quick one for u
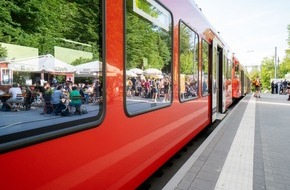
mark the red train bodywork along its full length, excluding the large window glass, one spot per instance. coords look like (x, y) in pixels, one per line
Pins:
(121, 148)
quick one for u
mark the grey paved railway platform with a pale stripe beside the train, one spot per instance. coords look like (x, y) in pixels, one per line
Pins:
(249, 149)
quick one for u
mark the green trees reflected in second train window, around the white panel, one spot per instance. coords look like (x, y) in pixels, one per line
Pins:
(146, 40)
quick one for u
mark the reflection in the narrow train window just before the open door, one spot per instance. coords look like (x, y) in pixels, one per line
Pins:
(205, 68)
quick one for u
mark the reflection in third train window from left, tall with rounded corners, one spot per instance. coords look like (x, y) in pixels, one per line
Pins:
(188, 47)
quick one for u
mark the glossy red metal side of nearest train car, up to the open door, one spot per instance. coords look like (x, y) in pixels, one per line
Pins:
(122, 152)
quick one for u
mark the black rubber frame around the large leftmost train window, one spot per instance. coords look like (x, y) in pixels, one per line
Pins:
(12, 141)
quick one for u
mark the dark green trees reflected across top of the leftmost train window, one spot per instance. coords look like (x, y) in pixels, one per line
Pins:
(42, 23)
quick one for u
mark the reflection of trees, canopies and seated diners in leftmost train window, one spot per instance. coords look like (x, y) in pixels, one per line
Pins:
(44, 55)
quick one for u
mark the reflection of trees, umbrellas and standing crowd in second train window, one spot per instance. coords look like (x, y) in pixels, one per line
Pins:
(148, 56)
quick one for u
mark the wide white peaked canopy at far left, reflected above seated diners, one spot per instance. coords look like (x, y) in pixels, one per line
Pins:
(45, 63)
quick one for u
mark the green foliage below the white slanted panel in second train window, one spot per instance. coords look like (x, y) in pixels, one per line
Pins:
(143, 41)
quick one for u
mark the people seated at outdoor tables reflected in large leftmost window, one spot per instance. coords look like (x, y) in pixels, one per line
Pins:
(54, 96)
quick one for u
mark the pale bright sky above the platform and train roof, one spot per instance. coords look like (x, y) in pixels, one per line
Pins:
(251, 28)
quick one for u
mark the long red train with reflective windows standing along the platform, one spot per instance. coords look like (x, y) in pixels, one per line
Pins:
(159, 74)
